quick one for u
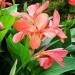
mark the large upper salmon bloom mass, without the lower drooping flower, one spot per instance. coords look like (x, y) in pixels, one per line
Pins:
(37, 26)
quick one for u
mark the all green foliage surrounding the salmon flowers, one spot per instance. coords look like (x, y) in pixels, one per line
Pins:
(25, 63)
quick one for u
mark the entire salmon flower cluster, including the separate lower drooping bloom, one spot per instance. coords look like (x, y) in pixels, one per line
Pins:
(38, 27)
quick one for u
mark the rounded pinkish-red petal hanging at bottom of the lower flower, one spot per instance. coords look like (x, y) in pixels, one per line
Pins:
(45, 62)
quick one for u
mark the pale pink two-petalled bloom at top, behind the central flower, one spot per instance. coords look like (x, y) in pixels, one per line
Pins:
(37, 9)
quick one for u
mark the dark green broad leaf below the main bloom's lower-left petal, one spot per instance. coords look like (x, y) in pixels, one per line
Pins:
(19, 51)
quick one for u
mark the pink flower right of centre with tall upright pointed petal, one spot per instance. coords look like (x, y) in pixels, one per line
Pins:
(54, 29)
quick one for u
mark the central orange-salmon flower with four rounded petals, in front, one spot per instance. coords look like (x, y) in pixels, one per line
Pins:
(33, 29)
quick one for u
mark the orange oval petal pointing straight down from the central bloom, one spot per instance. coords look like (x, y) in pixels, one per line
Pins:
(35, 41)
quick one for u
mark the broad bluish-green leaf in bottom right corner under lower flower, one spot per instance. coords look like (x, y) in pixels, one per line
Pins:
(69, 64)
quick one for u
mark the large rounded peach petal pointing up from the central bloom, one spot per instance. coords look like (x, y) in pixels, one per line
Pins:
(41, 21)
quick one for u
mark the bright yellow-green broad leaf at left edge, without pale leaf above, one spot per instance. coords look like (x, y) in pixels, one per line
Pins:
(7, 20)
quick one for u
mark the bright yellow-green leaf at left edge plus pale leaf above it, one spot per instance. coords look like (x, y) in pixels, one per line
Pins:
(7, 20)
